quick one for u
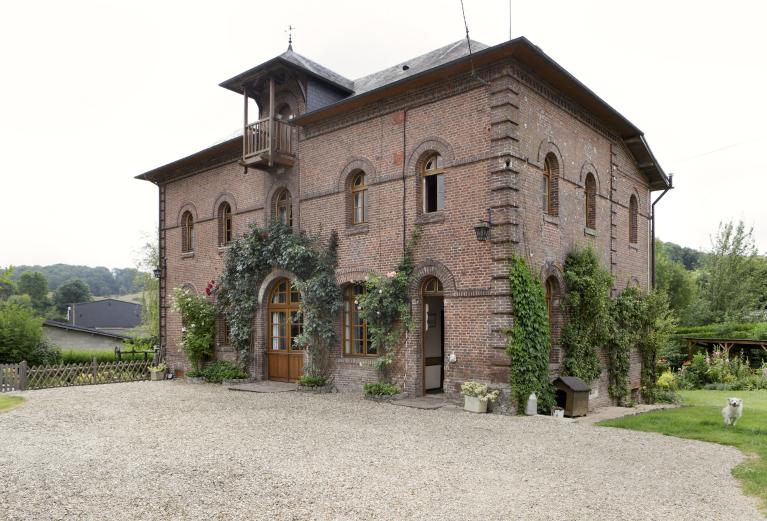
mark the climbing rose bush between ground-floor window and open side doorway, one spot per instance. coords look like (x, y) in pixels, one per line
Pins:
(385, 308)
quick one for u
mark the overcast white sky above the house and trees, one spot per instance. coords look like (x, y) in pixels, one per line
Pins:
(94, 93)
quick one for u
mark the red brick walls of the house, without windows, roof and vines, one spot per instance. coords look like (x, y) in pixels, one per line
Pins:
(493, 140)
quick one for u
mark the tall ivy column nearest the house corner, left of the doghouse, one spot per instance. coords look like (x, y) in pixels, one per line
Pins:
(529, 342)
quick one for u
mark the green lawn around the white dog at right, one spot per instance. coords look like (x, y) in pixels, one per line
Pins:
(700, 418)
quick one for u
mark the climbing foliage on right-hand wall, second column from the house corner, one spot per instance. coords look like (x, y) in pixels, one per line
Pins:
(587, 306)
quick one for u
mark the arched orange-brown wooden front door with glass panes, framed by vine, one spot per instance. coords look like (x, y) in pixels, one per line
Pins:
(285, 361)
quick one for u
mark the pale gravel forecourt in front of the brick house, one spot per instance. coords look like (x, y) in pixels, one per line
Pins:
(168, 450)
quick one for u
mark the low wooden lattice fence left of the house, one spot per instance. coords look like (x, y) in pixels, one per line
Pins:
(20, 377)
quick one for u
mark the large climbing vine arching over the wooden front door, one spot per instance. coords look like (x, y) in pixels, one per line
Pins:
(252, 257)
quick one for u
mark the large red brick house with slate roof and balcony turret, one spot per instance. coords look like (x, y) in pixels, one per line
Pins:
(445, 140)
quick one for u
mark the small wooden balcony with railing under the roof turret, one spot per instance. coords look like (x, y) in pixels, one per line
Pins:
(268, 142)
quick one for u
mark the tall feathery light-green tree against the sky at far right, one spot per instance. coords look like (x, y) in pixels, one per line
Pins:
(729, 286)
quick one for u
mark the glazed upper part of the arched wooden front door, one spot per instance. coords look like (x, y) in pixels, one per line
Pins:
(284, 316)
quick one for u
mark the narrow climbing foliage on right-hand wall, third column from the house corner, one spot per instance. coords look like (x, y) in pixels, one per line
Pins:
(625, 323)
